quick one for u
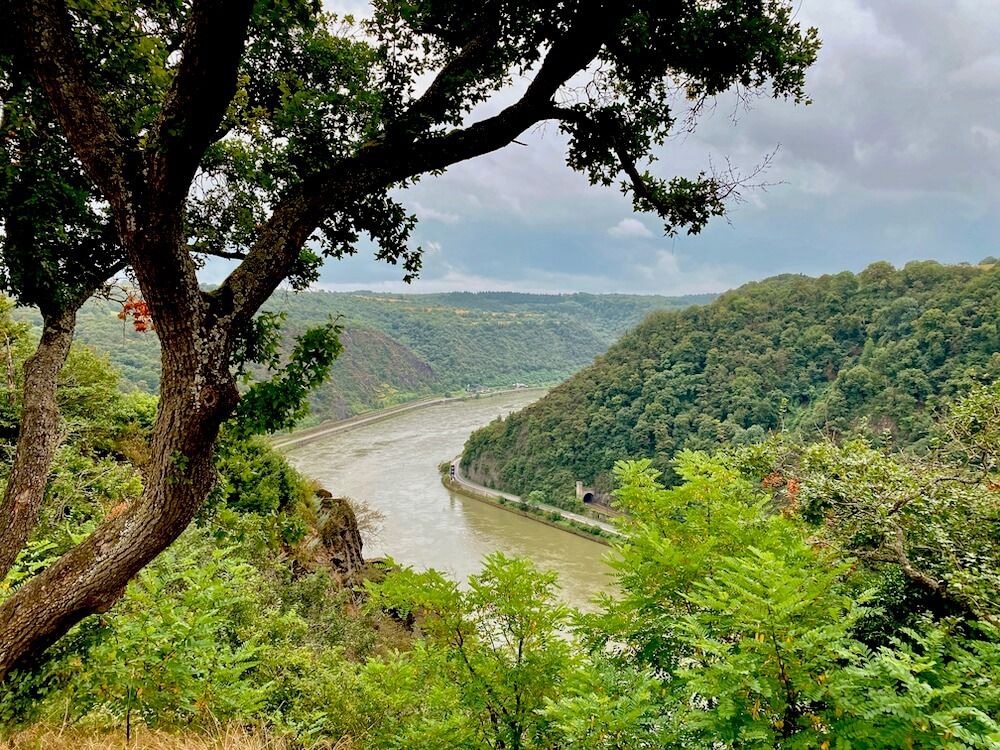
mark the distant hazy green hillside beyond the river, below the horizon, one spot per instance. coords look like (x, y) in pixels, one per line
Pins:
(398, 347)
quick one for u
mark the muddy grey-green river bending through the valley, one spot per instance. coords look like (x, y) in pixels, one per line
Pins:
(392, 466)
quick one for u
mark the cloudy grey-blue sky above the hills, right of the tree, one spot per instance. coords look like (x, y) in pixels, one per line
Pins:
(898, 158)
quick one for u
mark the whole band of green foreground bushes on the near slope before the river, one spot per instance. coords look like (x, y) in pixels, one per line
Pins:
(782, 594)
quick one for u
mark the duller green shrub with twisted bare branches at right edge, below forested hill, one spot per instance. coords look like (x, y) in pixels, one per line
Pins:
(932, 517)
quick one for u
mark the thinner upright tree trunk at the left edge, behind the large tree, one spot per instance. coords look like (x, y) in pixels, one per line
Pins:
(37, 439)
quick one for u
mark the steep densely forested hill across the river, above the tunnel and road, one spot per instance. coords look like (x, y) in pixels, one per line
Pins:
(806, 355)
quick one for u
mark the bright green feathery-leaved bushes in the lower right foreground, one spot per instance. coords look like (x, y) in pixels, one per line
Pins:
(761, 626)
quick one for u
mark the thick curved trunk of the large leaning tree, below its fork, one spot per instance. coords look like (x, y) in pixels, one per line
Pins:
(197, 395)
